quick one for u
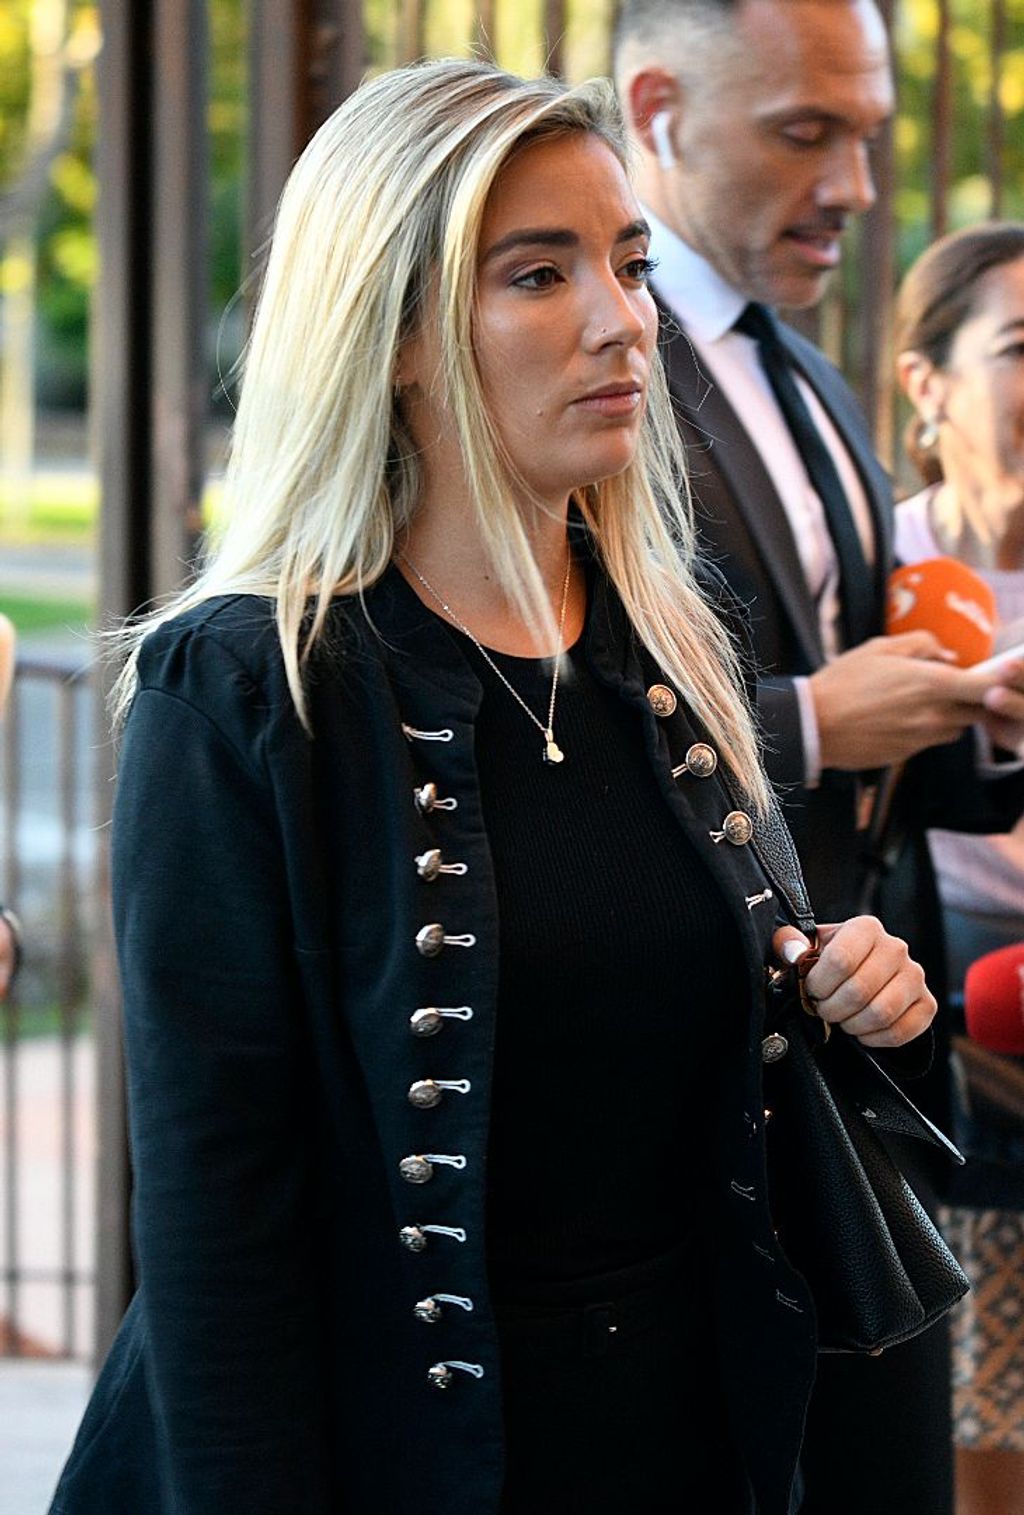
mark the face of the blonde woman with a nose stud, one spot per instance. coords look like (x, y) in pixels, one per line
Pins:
(564, 323)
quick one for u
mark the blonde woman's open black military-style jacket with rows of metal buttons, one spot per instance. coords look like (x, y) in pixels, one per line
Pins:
(302, 976)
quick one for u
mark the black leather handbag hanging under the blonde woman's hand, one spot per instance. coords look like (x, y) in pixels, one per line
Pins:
(846, 1217)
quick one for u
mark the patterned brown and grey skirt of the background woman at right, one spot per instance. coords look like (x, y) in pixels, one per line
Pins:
(988, 1329)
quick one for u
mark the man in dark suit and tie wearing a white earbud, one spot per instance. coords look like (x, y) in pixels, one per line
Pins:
(754, 122)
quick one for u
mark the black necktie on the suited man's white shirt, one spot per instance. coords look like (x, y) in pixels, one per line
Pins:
(857, 581)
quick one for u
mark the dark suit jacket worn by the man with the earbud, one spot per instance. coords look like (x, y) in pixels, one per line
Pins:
(746, 533)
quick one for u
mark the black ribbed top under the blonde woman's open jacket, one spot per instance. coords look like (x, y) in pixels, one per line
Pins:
(622, 978)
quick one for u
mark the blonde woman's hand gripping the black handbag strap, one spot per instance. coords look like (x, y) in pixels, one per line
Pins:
(866, 981)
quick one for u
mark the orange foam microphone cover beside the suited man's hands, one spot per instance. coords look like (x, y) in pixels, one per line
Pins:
(948, 599)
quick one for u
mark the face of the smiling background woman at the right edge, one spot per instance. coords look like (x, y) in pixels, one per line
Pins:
(984, 383)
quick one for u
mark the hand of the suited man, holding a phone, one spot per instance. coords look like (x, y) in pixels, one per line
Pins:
(894, 696)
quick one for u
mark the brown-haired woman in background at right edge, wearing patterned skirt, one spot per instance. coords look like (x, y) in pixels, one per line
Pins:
(961, 363)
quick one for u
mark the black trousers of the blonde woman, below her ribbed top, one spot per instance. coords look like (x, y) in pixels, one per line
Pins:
(613, 1404)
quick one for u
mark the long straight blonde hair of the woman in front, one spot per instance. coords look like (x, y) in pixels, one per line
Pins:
(384, 207)
